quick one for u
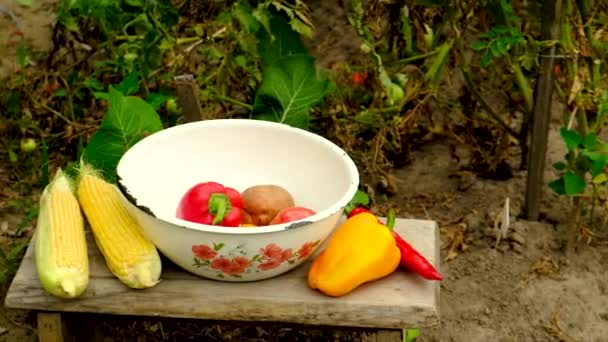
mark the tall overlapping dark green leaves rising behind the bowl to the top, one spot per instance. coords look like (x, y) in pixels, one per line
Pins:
(290, 84)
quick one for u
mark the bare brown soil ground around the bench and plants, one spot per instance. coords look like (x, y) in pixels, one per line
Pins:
(526, 289)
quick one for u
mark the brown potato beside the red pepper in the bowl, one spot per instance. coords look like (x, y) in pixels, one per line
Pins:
(263, 202)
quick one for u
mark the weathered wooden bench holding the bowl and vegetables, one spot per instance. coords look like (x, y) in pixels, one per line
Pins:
(402, 300)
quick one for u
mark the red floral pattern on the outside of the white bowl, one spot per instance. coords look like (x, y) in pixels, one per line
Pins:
(234, 263)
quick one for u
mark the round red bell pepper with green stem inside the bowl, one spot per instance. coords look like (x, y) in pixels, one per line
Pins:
(211, 203)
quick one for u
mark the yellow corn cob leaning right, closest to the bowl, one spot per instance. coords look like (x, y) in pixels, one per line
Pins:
(131, 257)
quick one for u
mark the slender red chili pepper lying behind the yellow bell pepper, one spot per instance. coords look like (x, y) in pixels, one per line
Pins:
(410, 258)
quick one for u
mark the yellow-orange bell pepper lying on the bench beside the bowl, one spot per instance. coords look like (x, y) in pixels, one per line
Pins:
(361, 250)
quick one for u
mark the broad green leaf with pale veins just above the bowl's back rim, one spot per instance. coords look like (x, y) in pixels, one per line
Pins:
(289, 88)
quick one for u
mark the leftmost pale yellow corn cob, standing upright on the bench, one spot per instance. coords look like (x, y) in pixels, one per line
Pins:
(60, 244)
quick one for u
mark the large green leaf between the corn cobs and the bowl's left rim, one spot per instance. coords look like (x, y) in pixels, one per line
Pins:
(128, 120)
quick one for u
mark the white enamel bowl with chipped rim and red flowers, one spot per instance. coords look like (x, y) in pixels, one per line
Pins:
(159, 169)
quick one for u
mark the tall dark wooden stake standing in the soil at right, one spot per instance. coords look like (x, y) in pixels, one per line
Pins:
(542, 112)
